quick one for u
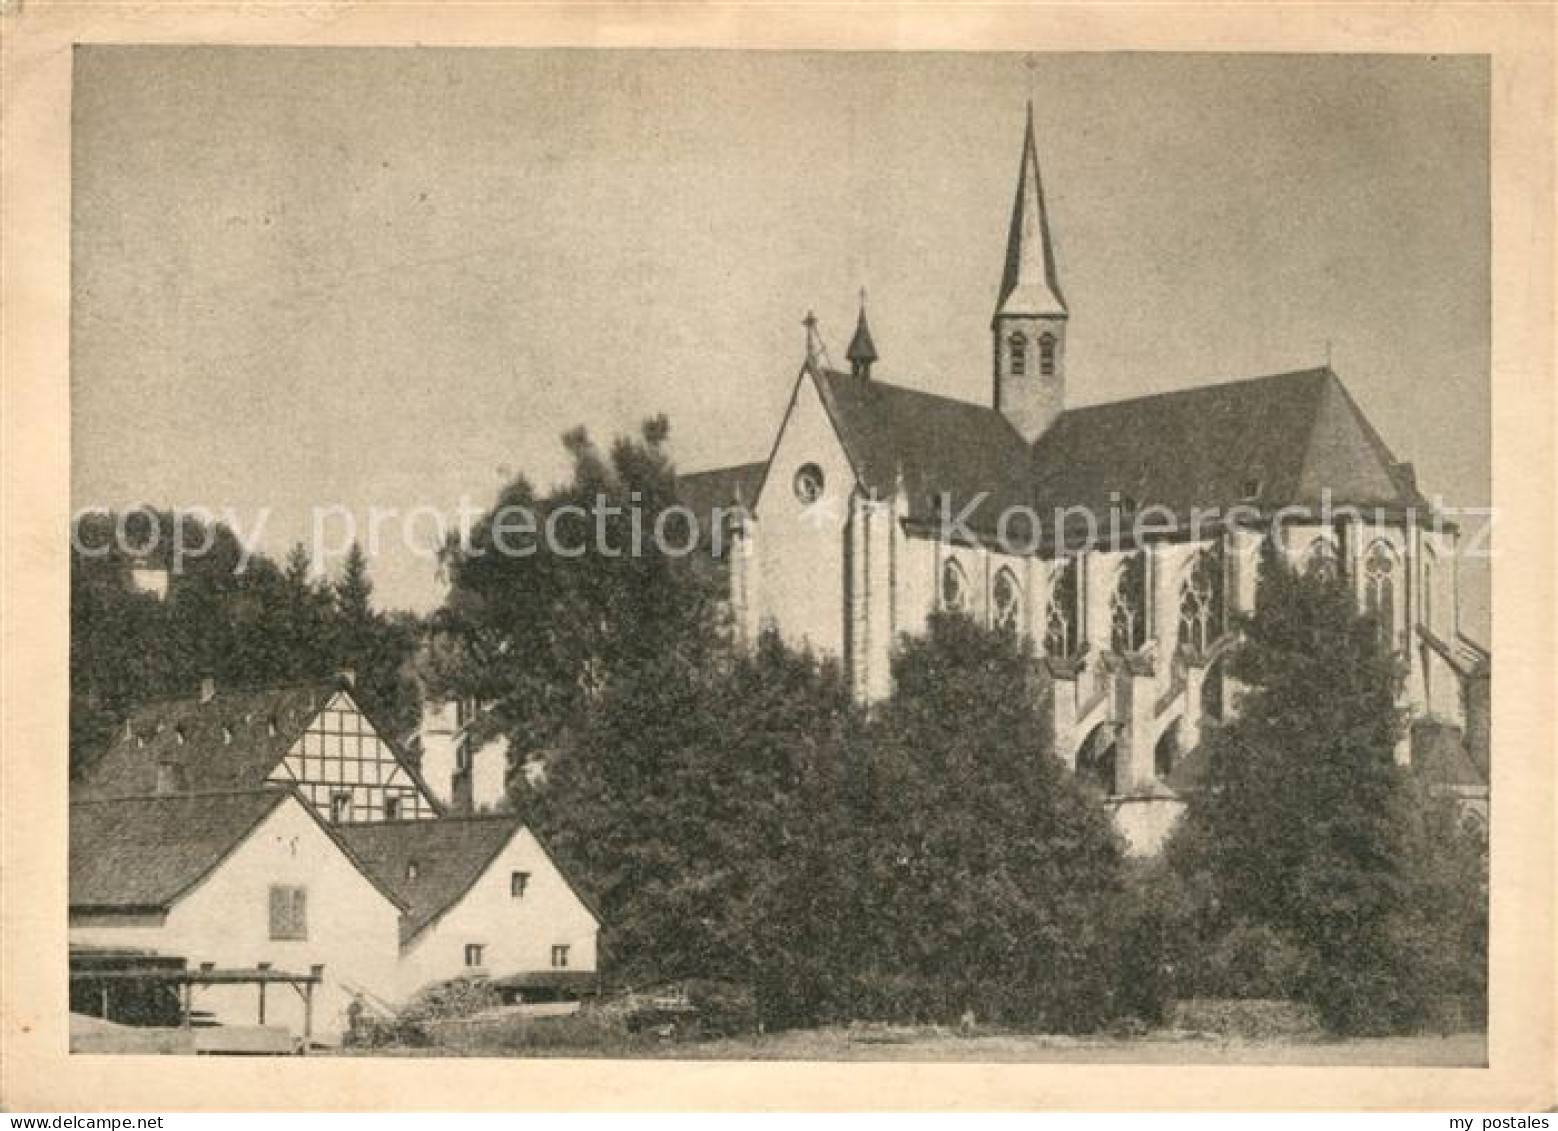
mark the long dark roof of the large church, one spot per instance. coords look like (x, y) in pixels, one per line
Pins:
(1269, 442)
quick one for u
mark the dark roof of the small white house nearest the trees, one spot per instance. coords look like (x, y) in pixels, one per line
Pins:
(451, 856)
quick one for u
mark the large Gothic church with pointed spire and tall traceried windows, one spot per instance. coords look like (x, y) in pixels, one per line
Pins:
(1123, 538)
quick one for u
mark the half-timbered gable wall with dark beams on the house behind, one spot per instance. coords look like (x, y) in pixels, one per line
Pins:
(348, 772)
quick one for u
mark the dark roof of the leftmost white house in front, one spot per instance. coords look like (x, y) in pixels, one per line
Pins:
(146, 853)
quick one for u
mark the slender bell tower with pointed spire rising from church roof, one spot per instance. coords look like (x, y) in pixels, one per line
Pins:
(1029, 329)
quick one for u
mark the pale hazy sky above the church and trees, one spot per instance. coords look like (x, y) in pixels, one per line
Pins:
(392, 278)
